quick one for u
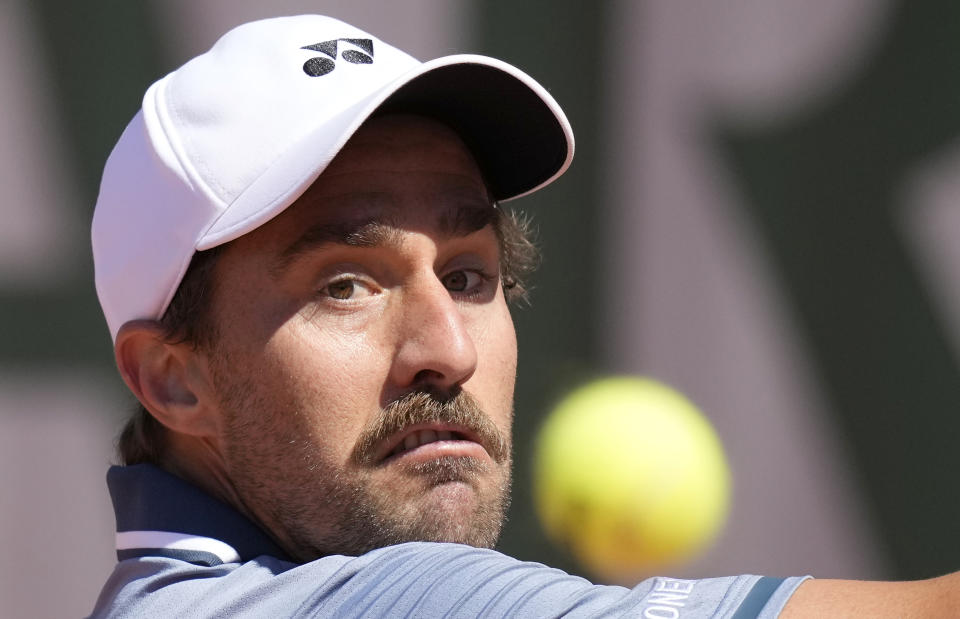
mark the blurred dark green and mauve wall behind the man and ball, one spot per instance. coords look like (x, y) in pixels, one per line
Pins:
(762, 212)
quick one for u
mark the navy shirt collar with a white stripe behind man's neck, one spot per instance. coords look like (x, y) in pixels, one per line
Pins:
(159, 514)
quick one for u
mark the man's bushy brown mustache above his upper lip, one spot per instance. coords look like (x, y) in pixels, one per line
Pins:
(421, 407)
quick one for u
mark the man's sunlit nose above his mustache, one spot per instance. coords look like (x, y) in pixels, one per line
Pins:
(435, 346)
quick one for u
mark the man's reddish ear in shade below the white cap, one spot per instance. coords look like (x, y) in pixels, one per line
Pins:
(171, 380)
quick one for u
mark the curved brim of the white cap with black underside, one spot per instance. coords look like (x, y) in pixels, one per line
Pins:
(517, 132)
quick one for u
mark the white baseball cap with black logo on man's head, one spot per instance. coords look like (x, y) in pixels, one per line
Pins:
(233, 137)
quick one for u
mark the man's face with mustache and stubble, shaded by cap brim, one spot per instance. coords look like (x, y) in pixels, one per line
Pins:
(366, 358)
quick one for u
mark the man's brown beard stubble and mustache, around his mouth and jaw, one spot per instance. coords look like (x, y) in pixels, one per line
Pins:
(314, 507)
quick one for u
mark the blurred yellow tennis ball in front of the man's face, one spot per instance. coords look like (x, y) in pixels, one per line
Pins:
(630, 477)
